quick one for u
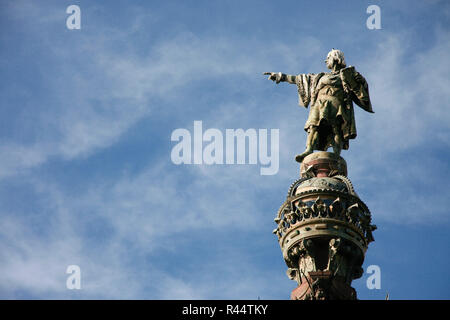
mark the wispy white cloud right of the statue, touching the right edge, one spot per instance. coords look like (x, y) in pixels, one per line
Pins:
(408, 91)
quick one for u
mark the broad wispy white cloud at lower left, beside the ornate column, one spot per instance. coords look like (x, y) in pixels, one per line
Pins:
(152, 218)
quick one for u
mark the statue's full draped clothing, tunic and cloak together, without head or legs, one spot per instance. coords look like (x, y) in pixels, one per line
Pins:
(331, 97)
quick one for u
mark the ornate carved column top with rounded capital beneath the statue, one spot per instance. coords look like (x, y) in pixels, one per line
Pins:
(323, 229)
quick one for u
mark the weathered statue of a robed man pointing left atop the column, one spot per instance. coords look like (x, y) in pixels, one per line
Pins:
(331, 120)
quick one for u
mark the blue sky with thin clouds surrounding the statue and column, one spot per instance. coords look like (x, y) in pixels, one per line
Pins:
(86, 118)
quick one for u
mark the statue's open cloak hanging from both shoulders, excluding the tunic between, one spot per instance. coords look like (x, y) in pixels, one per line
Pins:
(354, 91)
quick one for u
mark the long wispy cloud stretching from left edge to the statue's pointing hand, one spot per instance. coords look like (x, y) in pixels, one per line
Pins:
(92, 107)
